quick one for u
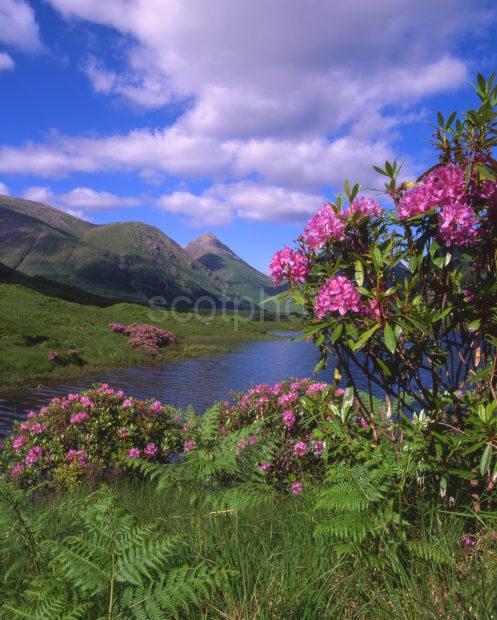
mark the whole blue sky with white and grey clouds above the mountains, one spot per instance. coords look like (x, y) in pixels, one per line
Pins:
(237, 117)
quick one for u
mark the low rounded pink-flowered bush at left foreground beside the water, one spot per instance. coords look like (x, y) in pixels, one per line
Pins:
(88, 435)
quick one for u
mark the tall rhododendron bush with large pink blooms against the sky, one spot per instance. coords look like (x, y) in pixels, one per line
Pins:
(403, 285)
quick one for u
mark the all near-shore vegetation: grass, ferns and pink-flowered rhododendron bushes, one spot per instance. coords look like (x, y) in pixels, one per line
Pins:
(302, 499)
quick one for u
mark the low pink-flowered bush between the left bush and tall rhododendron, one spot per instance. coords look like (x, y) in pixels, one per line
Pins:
(293, 416)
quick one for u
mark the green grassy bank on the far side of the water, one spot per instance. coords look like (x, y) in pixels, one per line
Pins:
(33, 324)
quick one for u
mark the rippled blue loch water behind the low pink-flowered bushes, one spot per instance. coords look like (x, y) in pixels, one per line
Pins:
(200, 381)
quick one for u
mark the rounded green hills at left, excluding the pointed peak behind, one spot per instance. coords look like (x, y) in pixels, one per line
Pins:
(128, 261)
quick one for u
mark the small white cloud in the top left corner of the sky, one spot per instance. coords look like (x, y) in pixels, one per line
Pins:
(18, 26)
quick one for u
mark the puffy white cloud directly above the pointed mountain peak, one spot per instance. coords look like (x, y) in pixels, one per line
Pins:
(253, 202)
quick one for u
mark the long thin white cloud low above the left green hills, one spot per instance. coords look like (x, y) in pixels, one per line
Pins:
(80, 199)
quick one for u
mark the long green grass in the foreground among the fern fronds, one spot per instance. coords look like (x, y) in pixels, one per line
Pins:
(278, 569)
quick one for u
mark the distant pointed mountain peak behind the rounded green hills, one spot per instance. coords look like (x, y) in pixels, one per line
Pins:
(239, 277)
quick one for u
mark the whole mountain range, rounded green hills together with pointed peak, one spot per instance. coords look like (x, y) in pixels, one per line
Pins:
(126, 261)
